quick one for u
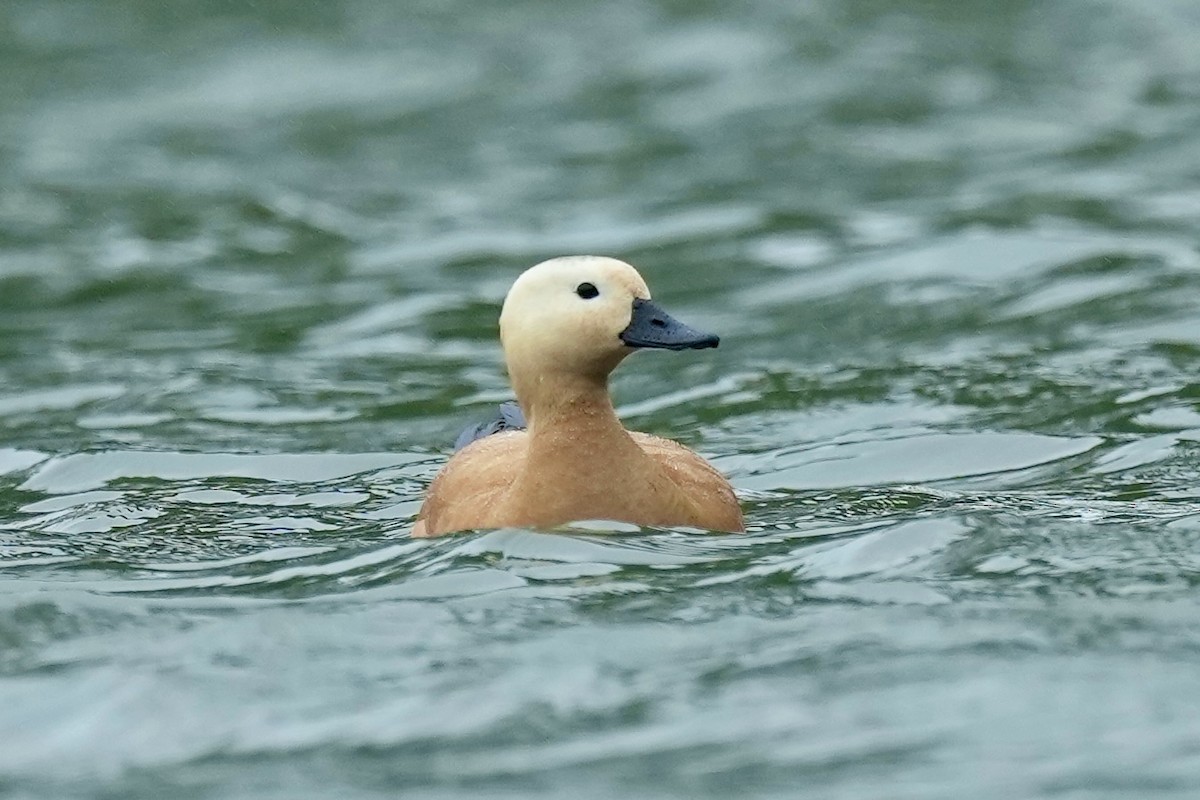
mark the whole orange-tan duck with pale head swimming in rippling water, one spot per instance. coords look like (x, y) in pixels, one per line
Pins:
(562, 455)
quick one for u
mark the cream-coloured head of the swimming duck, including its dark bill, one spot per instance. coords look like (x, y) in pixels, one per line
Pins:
(583, 315)
